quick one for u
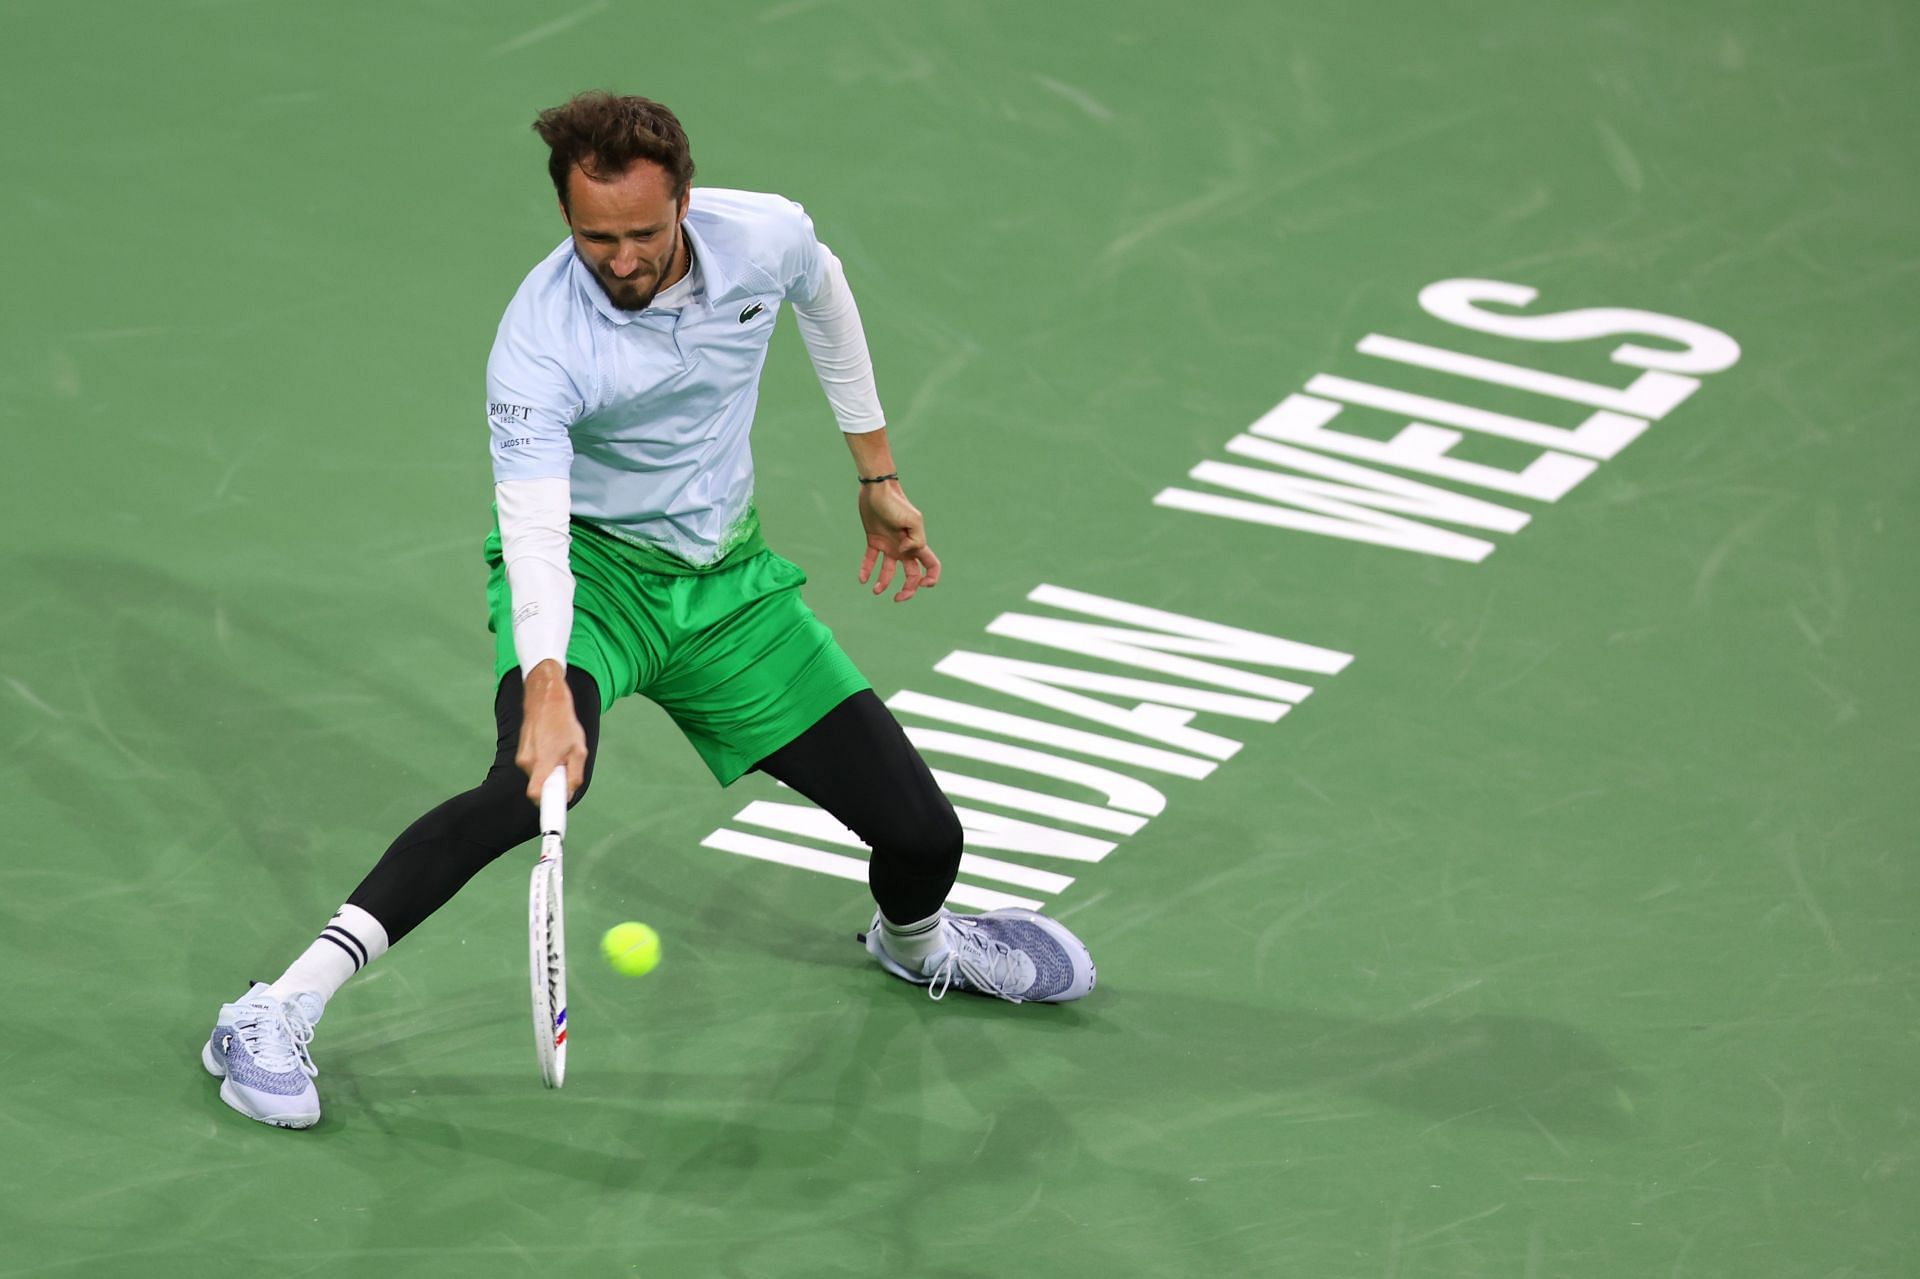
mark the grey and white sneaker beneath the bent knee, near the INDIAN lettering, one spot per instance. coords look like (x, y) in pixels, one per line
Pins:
(1013, 955)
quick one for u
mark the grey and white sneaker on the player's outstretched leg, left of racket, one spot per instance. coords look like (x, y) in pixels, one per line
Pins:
(260, 1053)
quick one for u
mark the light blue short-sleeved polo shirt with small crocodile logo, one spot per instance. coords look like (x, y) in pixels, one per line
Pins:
(648, 412)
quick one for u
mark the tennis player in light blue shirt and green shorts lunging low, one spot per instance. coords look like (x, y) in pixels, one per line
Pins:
(629, 560)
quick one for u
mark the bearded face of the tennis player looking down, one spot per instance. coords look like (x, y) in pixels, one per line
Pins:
(627, 231)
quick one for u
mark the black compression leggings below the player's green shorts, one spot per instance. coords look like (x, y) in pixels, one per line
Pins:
(855, 763)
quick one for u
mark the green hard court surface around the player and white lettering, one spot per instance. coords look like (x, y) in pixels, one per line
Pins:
(1566, 932)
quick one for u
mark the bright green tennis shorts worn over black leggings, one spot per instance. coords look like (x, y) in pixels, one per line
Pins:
(732, 654)
